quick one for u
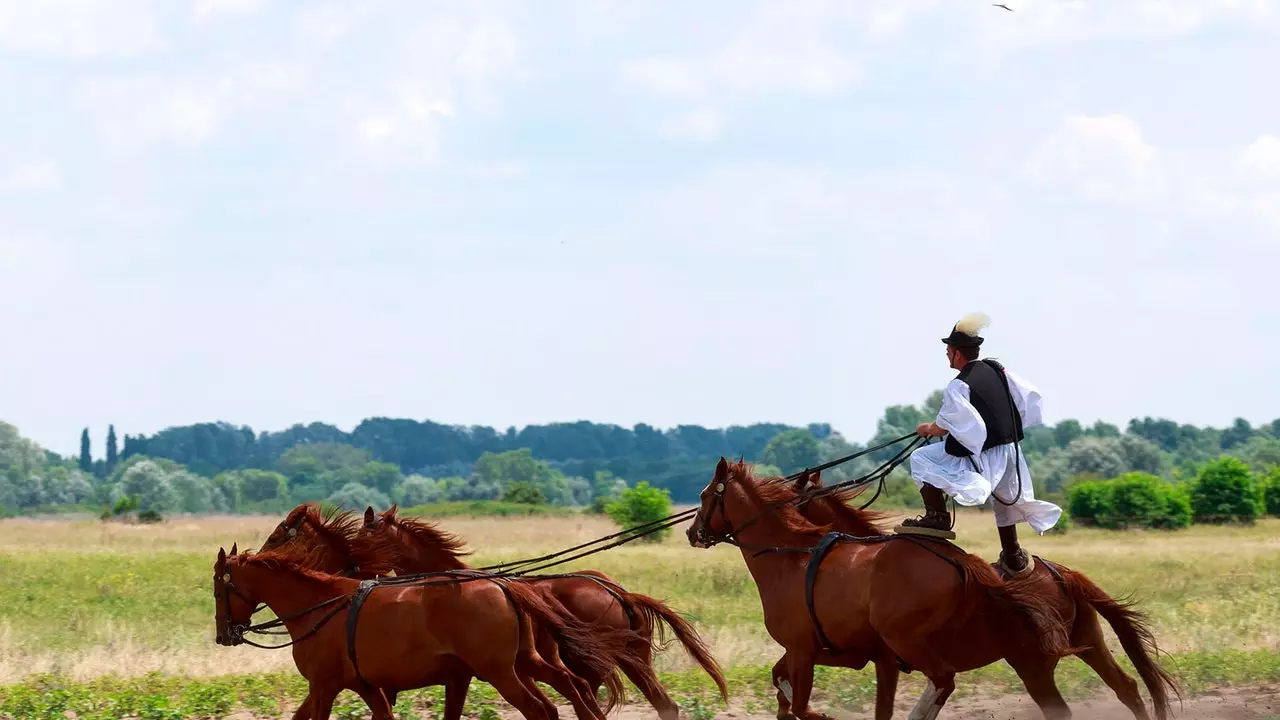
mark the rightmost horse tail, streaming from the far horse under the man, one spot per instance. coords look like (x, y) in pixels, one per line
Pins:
(1136, 637)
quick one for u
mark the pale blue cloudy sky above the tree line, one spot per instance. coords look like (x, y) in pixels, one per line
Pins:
(720, 213)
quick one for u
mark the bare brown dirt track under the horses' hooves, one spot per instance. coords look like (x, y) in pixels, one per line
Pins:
(1229, 704)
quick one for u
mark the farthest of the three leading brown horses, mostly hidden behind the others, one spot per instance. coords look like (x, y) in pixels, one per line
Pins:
(592, 596)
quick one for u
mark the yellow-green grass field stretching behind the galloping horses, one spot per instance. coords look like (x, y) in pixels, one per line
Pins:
(130, 608)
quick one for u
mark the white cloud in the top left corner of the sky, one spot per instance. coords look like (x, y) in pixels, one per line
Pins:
(80, 29)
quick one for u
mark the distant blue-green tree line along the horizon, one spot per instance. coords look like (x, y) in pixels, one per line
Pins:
(226, 468)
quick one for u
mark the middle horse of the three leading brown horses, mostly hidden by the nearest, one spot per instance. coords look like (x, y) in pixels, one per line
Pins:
(333, 545)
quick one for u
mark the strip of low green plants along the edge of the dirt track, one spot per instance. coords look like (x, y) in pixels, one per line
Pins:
(154, 698)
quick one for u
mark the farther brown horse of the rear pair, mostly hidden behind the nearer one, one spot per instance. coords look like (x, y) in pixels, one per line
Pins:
(1078, 600)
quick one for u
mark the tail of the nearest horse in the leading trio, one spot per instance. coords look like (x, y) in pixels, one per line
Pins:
(587, 651)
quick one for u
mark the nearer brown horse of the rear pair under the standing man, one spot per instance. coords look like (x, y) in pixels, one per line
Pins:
(900, 600)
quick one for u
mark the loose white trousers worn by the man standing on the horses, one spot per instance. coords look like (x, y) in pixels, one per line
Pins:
(998, 473)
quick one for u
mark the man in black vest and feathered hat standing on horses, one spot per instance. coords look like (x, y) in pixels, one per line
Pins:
(984, 411)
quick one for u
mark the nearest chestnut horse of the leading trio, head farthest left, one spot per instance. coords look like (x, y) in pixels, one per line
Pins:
(412, 636)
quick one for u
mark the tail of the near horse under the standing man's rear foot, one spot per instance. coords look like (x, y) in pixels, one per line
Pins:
(1021, 600)
